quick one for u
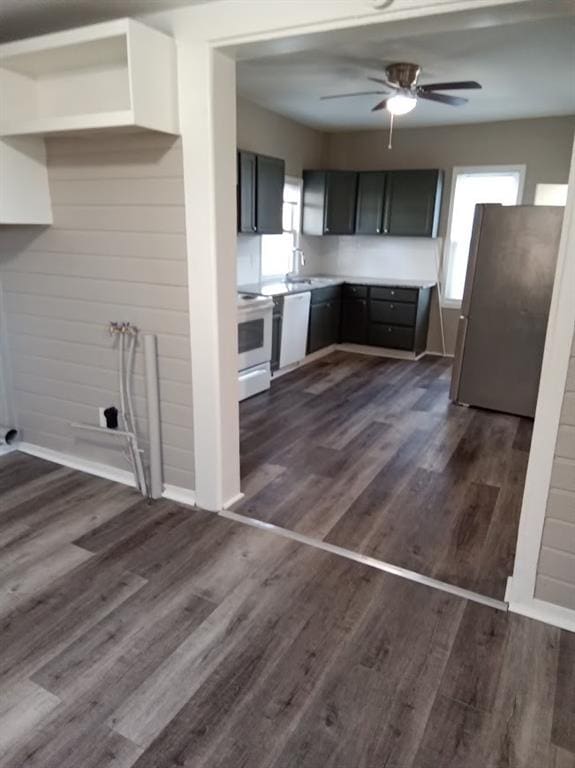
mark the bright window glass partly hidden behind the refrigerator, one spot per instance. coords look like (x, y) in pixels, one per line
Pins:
(470, 189)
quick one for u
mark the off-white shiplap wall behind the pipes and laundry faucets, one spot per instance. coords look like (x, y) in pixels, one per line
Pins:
(116, 251)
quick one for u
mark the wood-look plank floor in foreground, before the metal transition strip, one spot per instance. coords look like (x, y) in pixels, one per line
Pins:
(158, 636)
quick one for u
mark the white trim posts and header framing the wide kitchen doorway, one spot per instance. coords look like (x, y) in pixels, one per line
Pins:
(206, 36)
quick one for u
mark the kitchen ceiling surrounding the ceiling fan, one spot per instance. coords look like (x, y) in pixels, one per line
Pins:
(526, 69)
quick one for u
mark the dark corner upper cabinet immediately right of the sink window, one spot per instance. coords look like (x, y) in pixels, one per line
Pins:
(329, 200)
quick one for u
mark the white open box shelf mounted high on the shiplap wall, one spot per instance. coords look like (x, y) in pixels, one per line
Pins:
(112, 75)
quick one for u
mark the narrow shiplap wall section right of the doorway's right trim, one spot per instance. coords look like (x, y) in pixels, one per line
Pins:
(556, 568)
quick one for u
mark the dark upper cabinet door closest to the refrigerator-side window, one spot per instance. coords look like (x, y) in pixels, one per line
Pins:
(412, 203)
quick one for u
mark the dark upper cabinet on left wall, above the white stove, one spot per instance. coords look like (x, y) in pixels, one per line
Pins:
(260, 193)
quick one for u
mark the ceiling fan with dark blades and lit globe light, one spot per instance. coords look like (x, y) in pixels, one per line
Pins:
(402, 90)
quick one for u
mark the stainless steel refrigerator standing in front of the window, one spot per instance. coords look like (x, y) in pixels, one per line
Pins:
(508, 286)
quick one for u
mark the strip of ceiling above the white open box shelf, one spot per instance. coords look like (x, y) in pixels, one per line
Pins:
(27, 18)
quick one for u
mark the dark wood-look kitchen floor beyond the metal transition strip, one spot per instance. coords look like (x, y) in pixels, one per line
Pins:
(369, 454)
